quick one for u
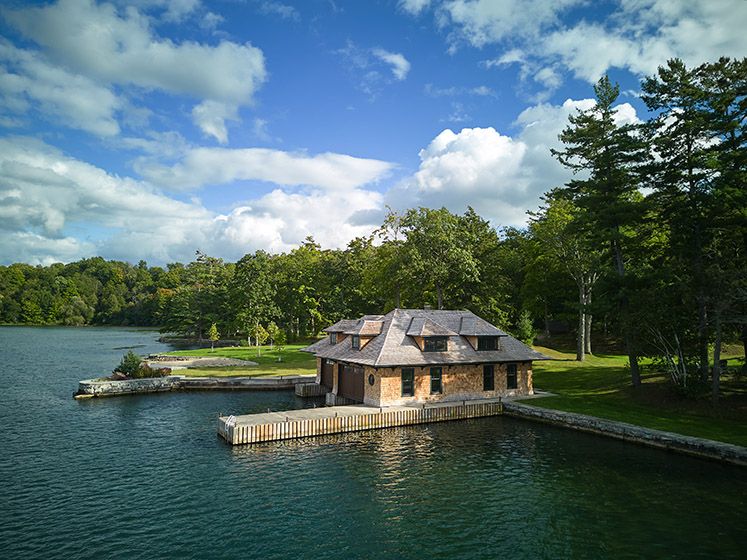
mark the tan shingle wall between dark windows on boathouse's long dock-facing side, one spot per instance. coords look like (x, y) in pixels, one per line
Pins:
(460, 382)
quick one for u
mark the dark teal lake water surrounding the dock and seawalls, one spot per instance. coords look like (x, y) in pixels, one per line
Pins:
(147, 477)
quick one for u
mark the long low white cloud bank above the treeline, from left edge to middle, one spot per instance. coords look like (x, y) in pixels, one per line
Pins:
(45, 194)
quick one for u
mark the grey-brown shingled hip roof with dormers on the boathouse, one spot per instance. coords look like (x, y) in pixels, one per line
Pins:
(395, 345)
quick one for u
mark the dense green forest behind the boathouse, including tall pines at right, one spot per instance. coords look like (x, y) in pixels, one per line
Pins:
(647, 245)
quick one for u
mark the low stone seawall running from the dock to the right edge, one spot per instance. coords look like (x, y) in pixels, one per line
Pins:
(698, 447)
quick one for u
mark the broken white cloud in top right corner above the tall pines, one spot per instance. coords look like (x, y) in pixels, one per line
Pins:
(638, 35)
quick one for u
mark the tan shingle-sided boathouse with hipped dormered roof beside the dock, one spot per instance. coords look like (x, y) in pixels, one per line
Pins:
(419, 356)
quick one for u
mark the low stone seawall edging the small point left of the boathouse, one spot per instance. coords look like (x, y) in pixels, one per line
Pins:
(111, 388)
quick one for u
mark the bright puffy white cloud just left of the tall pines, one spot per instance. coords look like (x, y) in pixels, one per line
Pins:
(502, 176)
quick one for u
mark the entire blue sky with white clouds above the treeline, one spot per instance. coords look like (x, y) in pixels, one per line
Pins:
(154, 128)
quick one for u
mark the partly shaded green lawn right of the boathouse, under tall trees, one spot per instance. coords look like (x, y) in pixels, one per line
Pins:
(600, 386)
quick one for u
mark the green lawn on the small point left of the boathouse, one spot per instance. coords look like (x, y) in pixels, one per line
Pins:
(294, 362)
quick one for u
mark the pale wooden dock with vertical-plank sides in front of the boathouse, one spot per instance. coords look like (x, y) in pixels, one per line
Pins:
(311, 422)
